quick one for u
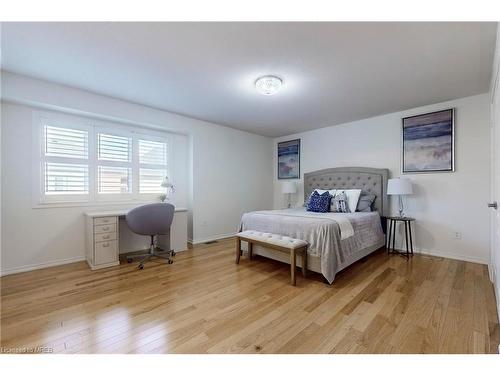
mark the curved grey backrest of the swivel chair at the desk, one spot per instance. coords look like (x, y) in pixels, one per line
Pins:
(151, 219)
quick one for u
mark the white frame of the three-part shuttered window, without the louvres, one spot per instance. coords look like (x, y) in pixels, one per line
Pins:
(93, 127)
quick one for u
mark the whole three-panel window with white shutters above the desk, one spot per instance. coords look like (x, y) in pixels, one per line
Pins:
(91, 161)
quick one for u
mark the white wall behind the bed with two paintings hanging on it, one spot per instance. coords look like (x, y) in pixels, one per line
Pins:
(444, 203)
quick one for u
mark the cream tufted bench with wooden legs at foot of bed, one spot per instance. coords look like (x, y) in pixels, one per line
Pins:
(274, 242)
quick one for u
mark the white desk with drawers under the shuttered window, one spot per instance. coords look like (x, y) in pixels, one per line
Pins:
(103, 245)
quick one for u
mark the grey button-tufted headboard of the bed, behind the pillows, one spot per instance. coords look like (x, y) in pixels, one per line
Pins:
(369, 180)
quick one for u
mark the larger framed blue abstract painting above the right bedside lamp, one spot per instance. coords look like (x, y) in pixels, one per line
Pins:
(428, 142)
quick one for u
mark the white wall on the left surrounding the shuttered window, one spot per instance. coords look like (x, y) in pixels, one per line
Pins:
(228, 172)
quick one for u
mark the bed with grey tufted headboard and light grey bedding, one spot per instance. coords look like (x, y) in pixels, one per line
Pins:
(336, 240)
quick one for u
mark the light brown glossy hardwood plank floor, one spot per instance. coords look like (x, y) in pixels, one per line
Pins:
(205, 303)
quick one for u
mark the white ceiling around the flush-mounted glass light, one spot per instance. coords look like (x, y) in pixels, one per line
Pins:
(333, 72)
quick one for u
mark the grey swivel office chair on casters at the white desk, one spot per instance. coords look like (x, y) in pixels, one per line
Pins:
(151, 220)
